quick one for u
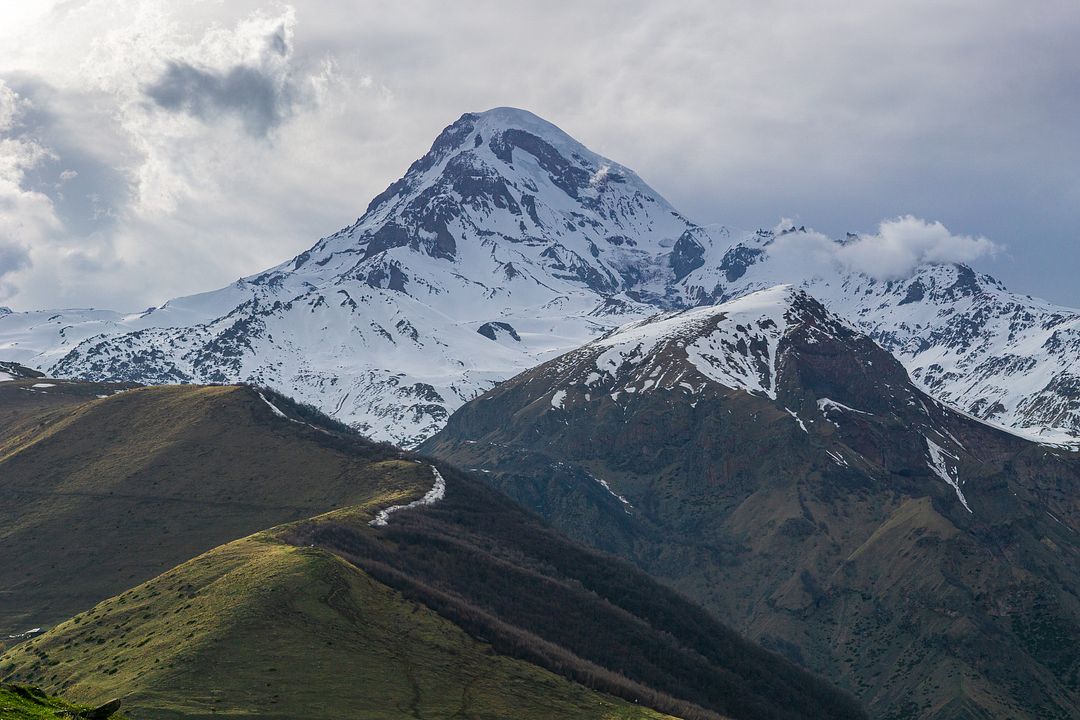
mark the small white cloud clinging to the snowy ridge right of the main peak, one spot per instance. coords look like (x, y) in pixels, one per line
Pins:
(899, 247)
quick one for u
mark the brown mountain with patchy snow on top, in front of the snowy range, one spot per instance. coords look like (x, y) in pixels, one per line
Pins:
(779, 467)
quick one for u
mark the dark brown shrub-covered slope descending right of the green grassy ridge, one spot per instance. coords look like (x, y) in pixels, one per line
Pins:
(481, 561)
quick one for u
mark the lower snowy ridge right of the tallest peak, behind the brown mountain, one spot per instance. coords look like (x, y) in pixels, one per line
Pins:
(1006, 359)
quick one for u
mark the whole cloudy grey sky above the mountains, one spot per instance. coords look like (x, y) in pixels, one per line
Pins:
(148, 152)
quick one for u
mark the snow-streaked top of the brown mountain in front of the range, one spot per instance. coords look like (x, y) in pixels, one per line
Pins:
(762, 344)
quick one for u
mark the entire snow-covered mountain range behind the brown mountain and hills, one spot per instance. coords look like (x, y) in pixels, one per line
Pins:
(510, 243)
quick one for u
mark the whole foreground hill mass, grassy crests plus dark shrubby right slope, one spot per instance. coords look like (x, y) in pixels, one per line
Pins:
(467, 608)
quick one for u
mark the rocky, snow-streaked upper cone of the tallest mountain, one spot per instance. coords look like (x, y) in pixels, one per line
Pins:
(509, 198)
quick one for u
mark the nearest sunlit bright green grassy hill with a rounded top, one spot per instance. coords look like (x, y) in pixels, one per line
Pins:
(262, 629)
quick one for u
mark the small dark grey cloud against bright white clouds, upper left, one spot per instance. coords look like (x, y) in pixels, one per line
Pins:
(248, 93)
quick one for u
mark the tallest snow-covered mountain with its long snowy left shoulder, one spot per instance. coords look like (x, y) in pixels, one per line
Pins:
(507, 243)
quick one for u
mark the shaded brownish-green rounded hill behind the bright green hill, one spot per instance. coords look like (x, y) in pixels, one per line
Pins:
(99, 495)
